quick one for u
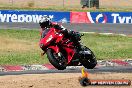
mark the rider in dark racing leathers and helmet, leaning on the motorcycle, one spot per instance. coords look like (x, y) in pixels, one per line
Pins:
(45, 23)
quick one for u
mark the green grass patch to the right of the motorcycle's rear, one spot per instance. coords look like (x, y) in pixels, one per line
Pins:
(109, 46)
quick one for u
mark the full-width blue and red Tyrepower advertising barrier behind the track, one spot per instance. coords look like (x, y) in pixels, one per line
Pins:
(66, 17)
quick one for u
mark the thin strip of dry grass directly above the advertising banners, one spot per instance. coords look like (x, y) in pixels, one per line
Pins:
(66, 8)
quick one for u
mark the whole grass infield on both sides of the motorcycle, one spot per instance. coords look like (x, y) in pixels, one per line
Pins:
(21, 47)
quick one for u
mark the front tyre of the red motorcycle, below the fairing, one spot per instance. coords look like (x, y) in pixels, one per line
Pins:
(58, 62)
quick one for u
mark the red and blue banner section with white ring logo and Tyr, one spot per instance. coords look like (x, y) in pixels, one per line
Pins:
(101, 17)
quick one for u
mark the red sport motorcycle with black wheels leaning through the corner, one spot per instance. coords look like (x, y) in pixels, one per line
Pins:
(63, 52)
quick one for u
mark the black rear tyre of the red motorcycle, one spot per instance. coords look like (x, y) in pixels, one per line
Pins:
(88, 60)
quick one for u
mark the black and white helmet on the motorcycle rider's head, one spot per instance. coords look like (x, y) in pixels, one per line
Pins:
(45, 22)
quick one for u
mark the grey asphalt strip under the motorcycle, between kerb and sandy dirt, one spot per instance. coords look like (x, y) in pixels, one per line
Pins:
(119, 69)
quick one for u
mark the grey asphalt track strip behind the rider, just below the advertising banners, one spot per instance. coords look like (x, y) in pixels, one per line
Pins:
(98, 28)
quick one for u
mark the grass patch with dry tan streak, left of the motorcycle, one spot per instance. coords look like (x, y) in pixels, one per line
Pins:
(18, 54)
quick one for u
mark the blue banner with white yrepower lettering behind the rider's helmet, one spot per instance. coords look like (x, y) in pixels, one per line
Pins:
(33, 16)
